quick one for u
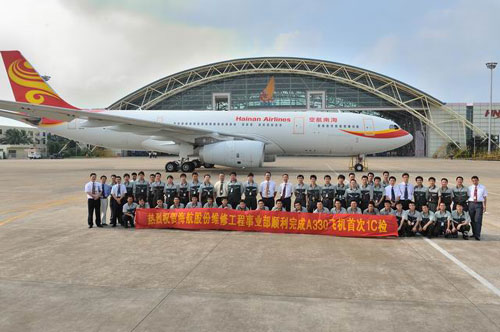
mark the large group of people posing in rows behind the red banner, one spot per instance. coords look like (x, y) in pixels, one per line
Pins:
(430, 210)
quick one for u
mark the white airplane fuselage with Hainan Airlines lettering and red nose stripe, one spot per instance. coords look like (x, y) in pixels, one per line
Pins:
(292, 132)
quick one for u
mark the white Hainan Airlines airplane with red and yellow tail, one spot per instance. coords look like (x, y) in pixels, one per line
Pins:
(238, 139)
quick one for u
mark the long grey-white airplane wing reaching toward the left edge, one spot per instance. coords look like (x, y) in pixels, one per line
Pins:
(97, 118)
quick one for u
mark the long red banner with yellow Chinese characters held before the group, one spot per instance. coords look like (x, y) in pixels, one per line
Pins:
(356, 225)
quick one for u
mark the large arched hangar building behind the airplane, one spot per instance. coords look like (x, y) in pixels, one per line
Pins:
(282, 83)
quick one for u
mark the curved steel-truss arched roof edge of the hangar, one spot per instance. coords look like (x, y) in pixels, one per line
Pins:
(383, 86)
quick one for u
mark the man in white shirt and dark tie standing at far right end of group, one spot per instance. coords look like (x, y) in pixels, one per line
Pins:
(477, 205)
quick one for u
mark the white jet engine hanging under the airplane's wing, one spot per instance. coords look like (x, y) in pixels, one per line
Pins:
(233, 153)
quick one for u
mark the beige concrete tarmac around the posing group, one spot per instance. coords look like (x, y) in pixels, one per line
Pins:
(58, 275)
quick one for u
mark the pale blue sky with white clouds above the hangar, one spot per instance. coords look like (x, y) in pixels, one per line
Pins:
(97, 51)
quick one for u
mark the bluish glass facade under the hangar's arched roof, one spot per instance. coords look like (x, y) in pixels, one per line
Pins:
(291, 92)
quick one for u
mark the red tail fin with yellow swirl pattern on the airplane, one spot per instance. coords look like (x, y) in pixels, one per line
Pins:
(28, 86)
